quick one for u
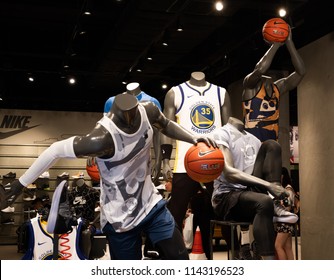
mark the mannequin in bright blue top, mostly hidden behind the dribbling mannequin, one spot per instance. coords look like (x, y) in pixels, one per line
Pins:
(135, 90)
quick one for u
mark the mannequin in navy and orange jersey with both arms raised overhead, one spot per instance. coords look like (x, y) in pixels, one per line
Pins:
(261, 93)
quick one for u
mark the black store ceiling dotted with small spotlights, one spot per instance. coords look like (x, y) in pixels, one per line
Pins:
(40, 37)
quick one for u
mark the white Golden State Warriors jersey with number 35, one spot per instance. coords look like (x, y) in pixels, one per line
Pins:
(198, 109)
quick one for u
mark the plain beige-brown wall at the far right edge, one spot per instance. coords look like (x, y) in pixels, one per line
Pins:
(316, 150)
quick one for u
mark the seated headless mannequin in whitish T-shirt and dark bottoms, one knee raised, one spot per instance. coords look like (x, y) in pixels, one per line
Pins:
(251, 171)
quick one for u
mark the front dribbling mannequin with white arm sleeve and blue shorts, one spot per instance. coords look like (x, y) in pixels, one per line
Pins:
(121, 143)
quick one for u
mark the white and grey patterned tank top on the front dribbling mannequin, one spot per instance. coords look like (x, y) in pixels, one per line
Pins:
(127, 191)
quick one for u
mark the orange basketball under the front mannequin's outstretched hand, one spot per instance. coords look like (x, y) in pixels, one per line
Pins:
(203, 164)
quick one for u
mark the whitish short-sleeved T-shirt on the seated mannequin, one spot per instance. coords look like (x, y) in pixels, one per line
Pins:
(244, 148)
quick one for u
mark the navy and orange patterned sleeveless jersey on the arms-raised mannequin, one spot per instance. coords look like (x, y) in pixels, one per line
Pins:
(261, 114)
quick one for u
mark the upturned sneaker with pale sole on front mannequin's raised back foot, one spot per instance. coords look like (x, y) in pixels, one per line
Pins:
(61, 218)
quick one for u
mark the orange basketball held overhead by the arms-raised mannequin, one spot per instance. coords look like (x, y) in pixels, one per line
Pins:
(275, 30)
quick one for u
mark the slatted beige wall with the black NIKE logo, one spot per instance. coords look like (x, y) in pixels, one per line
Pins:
(25, 134)
